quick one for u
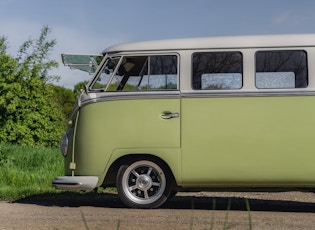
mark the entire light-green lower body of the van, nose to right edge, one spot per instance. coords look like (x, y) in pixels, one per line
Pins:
(216, 141)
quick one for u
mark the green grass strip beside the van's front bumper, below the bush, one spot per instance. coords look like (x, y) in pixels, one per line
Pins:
(26, 171)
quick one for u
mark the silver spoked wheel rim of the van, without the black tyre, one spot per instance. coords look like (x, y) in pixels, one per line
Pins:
(144, 182)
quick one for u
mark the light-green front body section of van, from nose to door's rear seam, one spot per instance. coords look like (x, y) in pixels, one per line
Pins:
(110, 129)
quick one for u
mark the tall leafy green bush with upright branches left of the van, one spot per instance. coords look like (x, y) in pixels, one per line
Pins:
(29, 112)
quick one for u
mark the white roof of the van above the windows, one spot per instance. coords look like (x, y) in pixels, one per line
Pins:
(257, 41)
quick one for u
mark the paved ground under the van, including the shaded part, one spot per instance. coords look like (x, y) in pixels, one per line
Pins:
(290, 210)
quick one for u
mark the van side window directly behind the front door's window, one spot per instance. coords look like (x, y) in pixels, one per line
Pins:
(217, 71)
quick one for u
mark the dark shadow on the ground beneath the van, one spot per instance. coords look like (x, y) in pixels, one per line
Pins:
(108, 200)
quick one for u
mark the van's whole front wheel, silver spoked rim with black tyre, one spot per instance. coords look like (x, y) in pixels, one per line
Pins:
(143, 184)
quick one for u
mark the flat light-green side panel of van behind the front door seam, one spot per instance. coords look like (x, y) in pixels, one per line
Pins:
(248, 141)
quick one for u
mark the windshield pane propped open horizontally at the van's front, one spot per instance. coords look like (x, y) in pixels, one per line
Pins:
(84, 62)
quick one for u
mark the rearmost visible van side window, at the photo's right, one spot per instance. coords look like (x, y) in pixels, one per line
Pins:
(281, 69)
